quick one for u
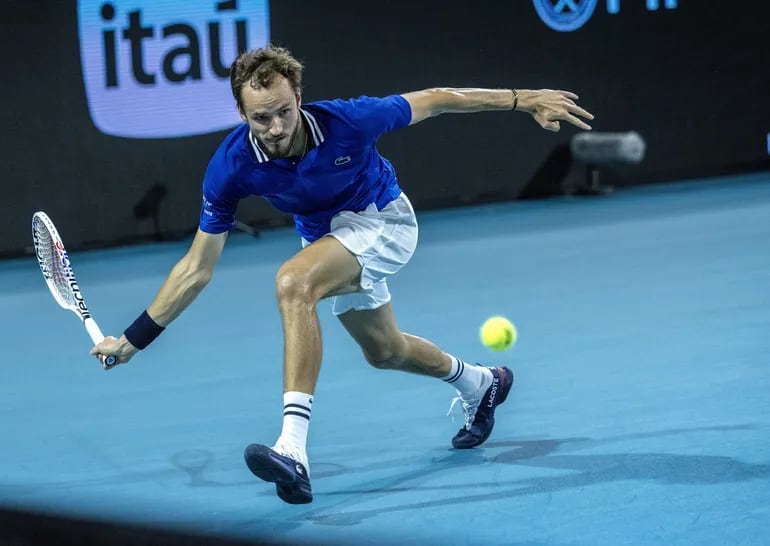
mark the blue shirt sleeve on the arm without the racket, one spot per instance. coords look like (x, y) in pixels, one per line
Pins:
(371, 117)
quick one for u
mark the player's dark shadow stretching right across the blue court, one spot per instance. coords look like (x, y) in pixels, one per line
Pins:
(585, 470)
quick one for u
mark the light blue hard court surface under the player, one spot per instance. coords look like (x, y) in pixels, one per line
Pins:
(640, 413)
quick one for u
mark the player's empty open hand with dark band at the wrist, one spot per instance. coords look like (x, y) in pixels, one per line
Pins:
(548, 107)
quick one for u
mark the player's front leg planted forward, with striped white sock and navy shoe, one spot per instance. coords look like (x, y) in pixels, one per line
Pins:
(321, 269)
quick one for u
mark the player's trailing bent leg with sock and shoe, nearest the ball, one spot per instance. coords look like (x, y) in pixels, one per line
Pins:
(480, 389)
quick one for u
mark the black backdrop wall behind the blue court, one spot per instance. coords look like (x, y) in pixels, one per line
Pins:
(693, 81)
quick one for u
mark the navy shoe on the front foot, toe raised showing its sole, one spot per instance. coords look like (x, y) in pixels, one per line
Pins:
(290, 477)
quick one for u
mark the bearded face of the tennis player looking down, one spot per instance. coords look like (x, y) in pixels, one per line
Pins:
(273, 116)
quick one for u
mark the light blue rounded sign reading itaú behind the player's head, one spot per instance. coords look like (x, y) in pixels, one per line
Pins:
(161, 68)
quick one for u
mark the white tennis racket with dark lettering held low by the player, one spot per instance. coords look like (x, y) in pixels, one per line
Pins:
(59, 276)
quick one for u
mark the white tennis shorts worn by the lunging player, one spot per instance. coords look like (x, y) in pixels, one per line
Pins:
(383, 241)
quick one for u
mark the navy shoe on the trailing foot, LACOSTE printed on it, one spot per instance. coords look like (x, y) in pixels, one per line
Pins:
(480, 412)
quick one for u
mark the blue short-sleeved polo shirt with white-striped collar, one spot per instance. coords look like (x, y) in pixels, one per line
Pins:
(343, 171)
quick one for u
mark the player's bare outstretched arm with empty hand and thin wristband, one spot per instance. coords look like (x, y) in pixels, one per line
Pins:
(547, 106)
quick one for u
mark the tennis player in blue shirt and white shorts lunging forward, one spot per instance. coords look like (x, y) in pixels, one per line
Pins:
(319, 161)
